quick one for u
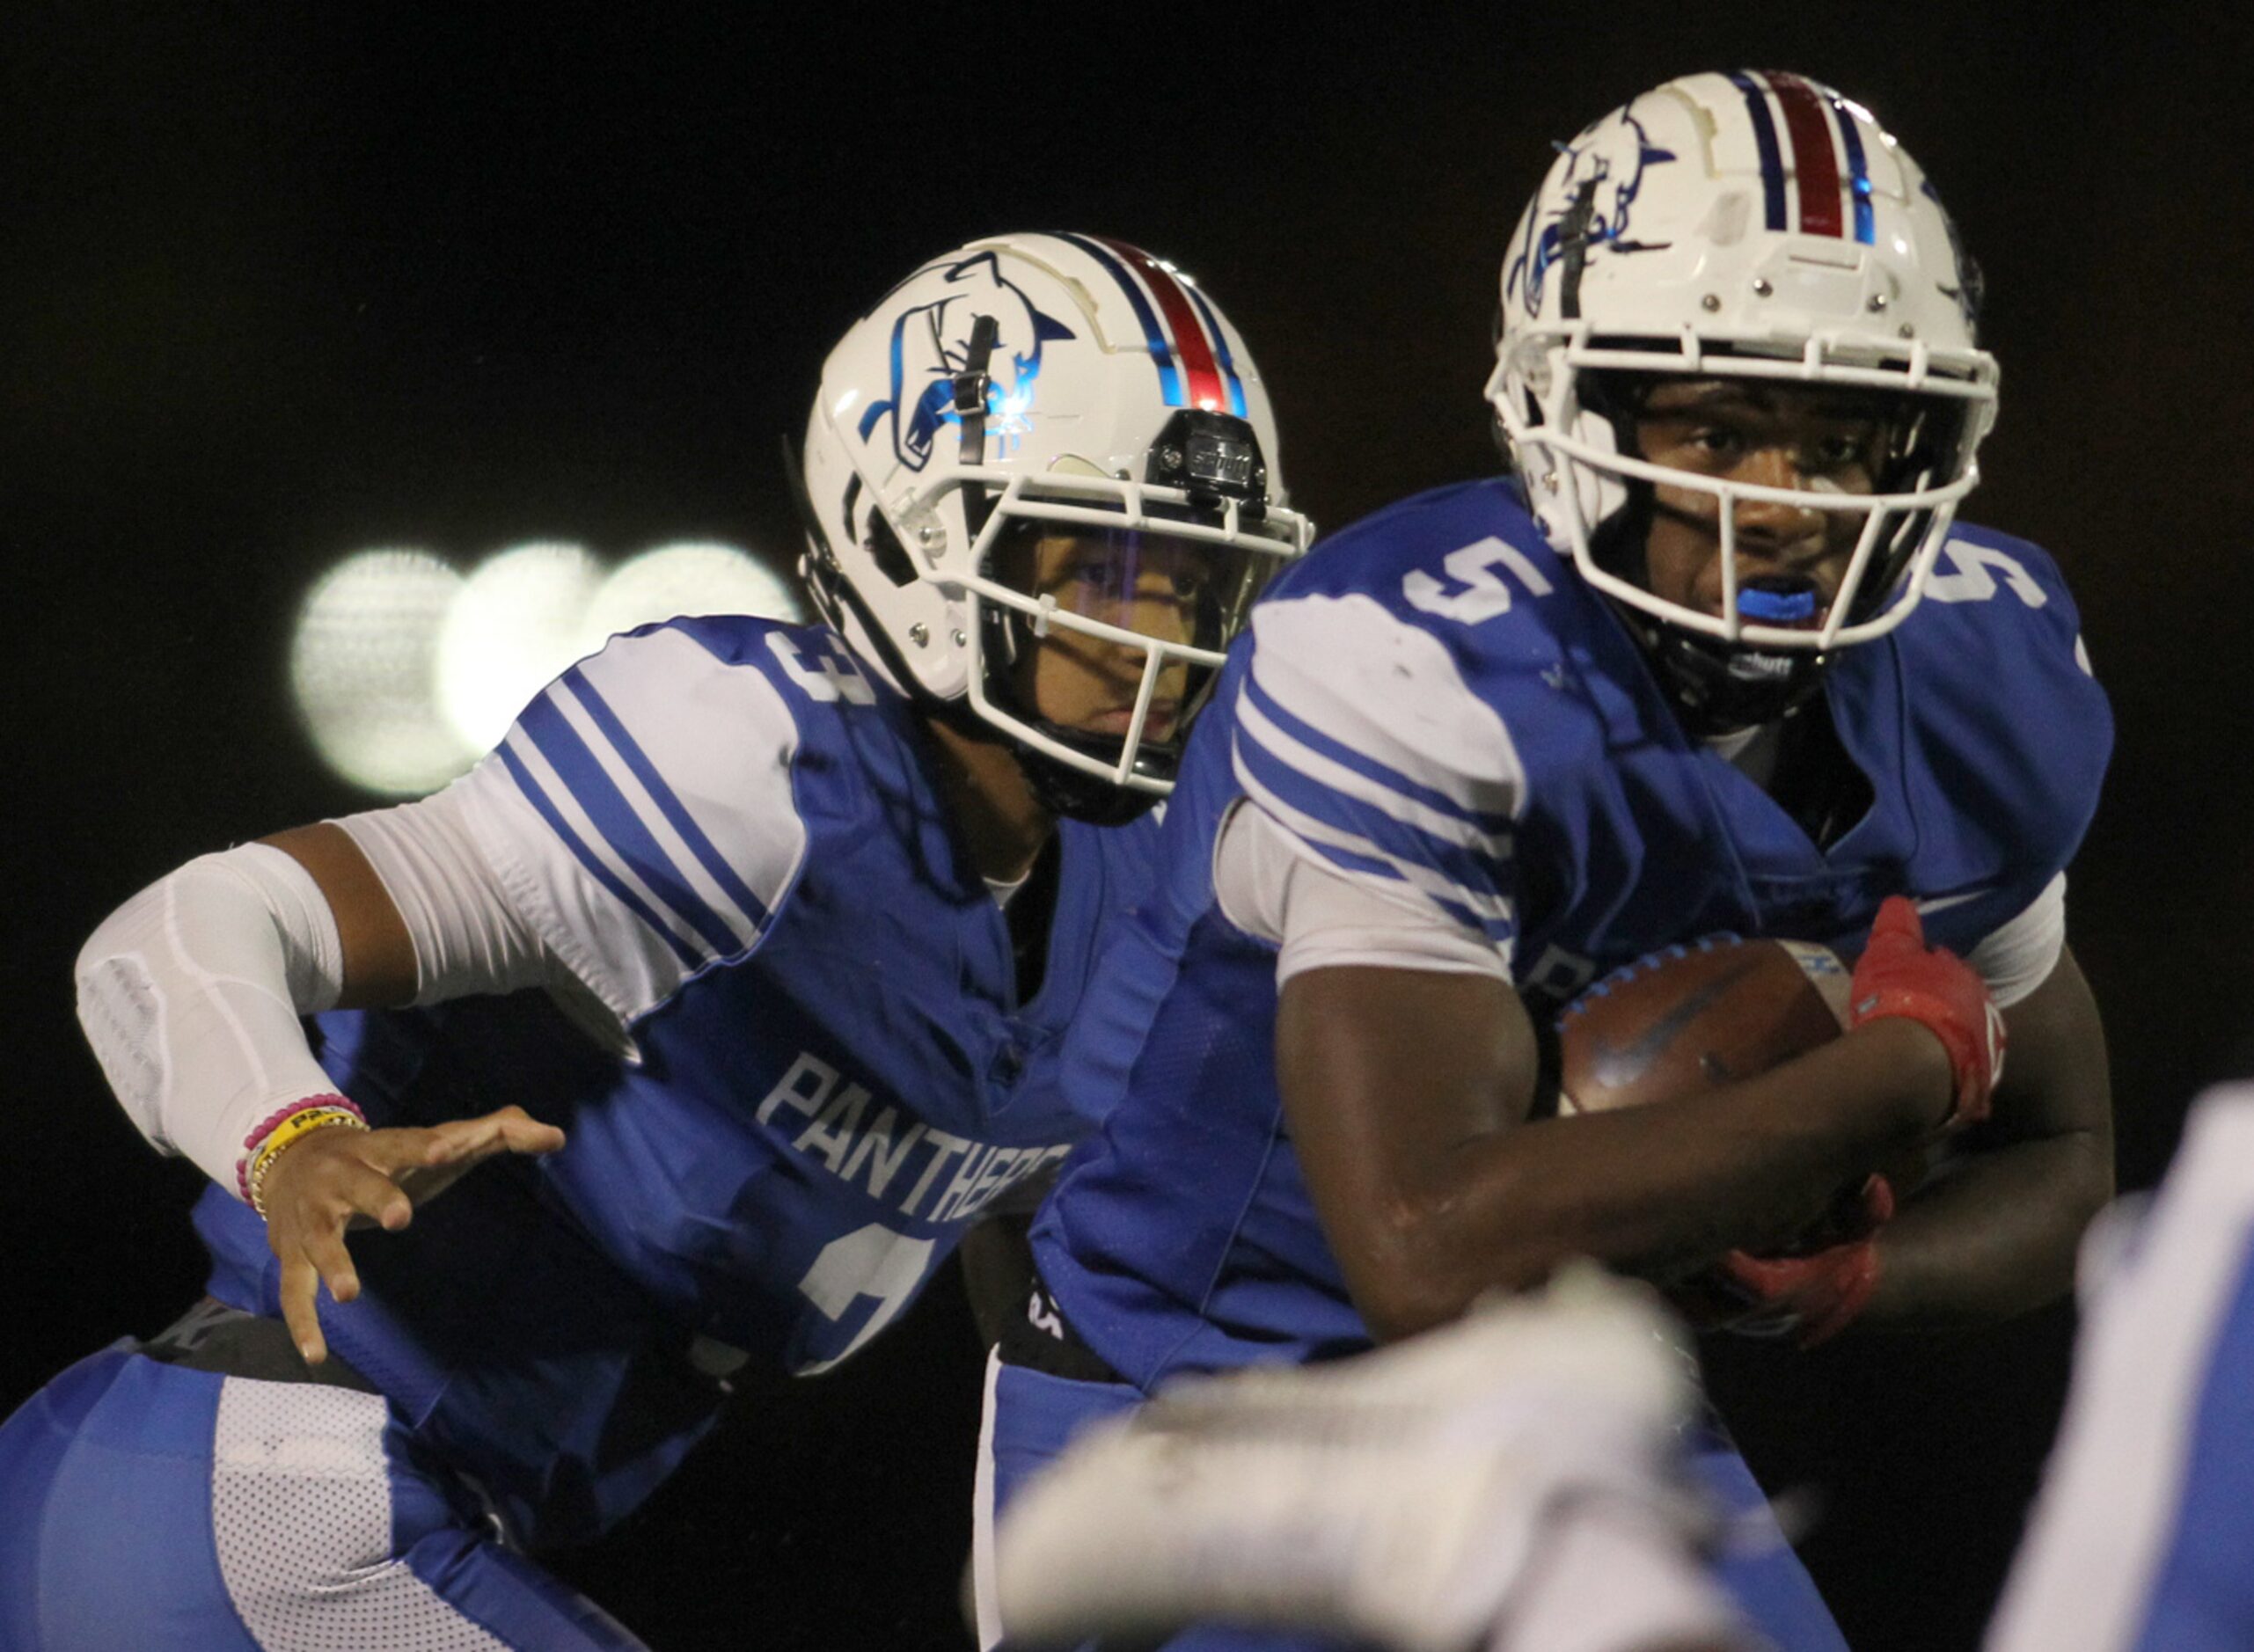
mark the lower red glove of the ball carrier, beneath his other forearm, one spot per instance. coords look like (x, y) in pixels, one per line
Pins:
(1811, 1295)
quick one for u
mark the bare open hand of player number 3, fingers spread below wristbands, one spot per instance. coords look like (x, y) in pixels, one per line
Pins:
(332, 1180)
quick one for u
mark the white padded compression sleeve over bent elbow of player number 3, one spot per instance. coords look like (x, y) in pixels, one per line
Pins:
(190, 997)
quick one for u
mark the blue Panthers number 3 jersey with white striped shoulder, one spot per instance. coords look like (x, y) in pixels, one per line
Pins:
(731, 837)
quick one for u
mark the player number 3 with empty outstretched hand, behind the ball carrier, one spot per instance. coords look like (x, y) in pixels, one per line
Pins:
(743, 959)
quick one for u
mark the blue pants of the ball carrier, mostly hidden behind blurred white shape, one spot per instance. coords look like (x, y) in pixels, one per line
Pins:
(1033, 1416)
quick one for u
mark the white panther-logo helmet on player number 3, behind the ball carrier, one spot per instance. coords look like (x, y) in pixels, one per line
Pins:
(1061, 380)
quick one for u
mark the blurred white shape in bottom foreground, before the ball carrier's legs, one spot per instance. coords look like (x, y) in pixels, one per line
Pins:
(1509, 1482)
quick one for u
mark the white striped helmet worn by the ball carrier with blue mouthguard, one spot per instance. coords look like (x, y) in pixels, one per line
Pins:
(1743, 227)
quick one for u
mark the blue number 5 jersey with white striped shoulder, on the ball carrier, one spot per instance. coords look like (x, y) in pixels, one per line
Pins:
(1435, 704)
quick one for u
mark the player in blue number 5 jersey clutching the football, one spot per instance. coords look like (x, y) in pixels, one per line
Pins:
(1719, 657)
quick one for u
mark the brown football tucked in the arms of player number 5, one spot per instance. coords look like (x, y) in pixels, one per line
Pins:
(1694, 1018)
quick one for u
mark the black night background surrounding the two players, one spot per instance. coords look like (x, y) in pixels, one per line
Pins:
(461, 276)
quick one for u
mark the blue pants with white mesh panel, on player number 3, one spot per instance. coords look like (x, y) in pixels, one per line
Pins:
(159, 1507)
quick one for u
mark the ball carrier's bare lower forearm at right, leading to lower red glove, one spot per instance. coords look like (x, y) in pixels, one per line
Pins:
(1996, 1238)
